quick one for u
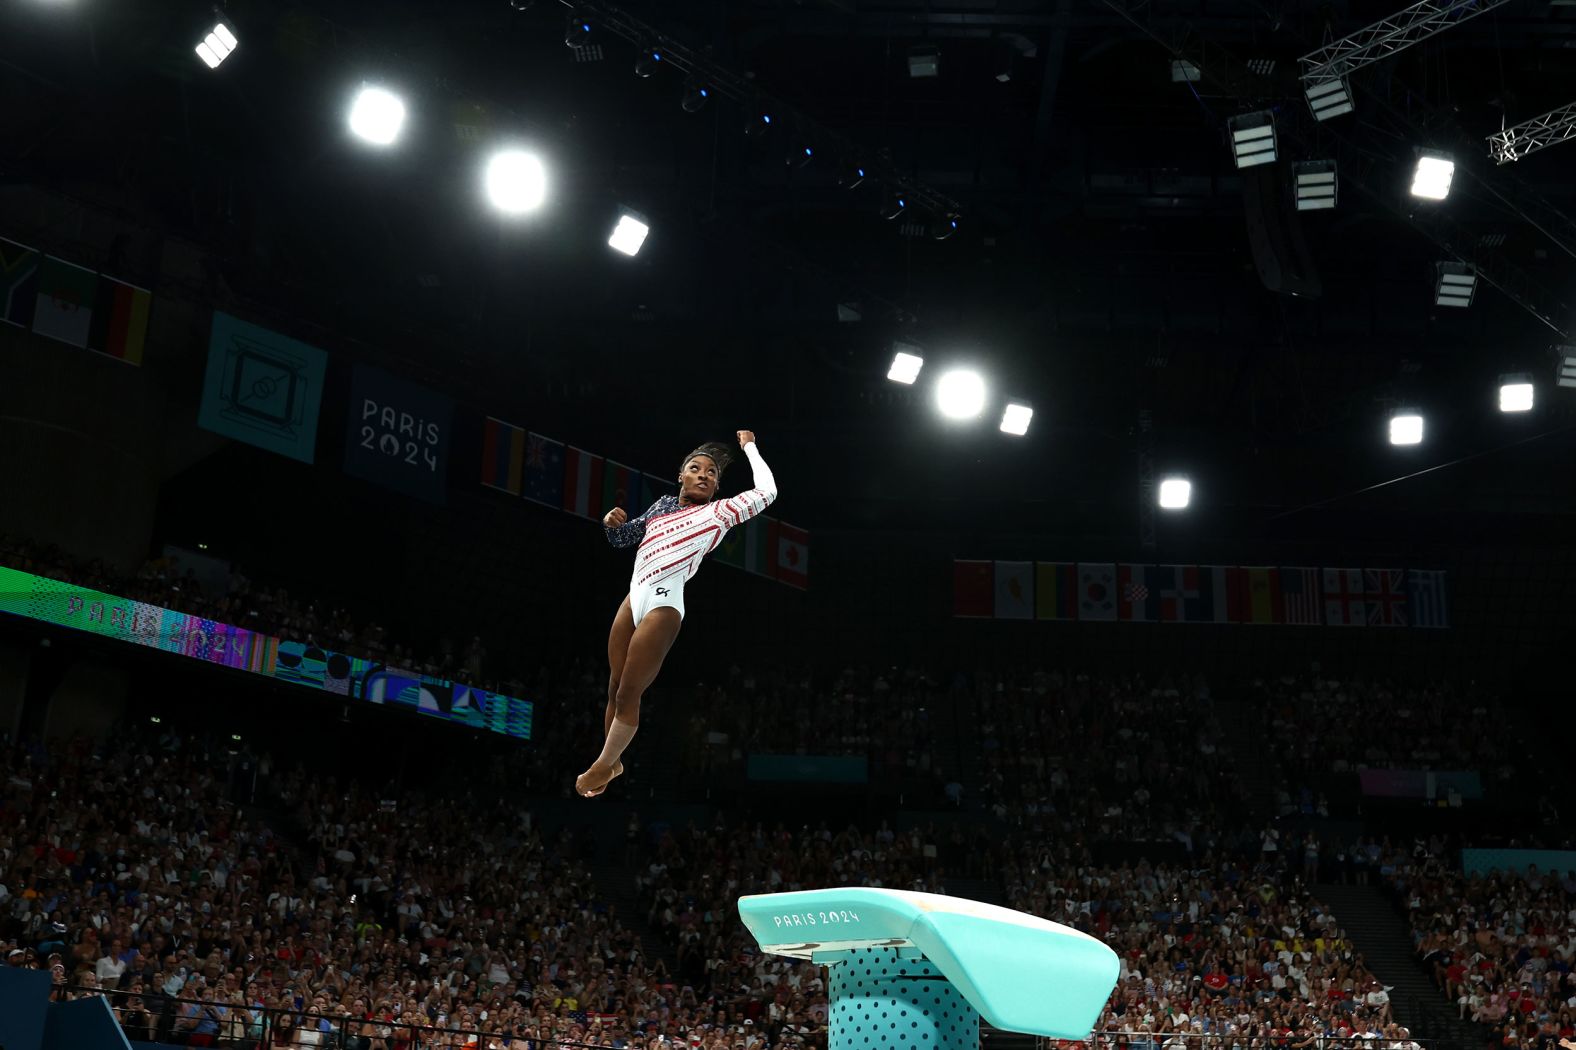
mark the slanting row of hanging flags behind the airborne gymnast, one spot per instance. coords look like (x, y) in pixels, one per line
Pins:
(573, 480)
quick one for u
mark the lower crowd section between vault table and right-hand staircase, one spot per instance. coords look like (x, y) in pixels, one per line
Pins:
(1214, 951)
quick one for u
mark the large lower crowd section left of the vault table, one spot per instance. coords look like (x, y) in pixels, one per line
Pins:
(355, 920)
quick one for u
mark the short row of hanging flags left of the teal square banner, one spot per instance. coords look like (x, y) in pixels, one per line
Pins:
(72, 303)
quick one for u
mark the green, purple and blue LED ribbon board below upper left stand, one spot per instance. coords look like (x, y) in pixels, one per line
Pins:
(212, 642)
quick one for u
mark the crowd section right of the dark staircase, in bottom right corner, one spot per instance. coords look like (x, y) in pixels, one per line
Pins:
(1501, 945)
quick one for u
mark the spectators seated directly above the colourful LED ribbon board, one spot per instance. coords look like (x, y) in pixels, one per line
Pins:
(234, 598)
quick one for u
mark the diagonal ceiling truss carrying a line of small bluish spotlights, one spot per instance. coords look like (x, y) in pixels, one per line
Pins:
(724, 83)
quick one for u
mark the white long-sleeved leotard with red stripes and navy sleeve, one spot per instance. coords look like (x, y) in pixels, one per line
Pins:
(675, 538)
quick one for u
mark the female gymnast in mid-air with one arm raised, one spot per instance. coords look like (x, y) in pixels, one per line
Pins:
(674, 535)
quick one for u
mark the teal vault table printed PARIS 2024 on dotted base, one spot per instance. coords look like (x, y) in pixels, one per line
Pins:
(916, 972)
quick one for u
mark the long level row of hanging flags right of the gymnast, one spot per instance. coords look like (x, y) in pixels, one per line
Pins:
(1200, 594)
